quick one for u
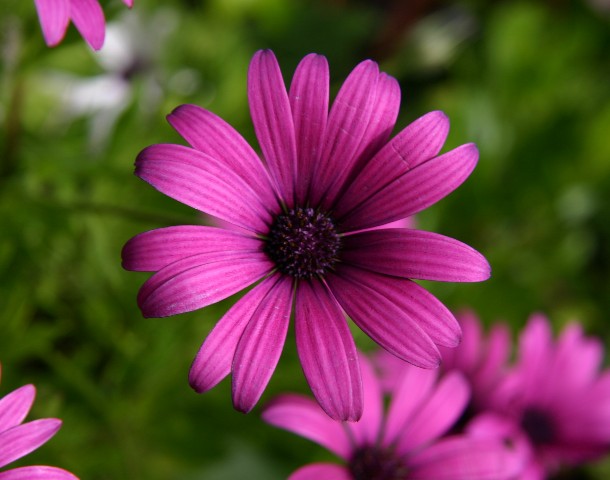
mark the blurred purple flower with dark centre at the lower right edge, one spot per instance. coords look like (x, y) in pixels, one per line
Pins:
(555, 404)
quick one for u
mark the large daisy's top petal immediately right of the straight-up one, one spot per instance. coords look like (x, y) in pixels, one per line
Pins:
(347, 123)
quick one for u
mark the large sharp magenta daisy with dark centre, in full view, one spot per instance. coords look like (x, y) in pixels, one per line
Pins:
(310, 208)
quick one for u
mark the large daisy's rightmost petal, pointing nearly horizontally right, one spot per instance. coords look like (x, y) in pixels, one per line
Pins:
(415, 254)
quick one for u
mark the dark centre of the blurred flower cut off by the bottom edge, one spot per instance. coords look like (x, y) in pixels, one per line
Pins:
(374, 463)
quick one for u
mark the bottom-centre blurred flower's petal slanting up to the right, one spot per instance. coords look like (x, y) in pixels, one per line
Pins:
(437, 415)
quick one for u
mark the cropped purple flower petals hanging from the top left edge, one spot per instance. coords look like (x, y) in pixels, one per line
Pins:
(87, 16)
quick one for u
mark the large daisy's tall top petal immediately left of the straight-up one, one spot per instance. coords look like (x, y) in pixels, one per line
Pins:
(272, 118)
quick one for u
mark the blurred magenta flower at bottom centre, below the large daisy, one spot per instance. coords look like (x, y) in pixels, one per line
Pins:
(406, 443)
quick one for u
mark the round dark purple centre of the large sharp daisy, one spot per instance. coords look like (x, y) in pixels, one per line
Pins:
(303, 243)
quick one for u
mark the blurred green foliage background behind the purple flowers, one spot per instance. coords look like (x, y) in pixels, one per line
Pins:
(527, 81)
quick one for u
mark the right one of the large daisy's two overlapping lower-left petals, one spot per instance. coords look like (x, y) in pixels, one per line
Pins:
(260, 346)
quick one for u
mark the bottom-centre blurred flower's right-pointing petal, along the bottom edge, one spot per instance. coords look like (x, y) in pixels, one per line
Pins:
(457, 458)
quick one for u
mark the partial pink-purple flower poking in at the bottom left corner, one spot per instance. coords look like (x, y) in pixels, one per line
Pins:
(17, 439)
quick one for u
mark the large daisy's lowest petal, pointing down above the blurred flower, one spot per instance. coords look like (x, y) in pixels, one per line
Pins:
(327, 352)
